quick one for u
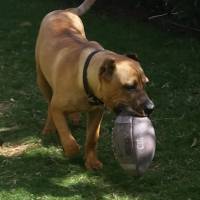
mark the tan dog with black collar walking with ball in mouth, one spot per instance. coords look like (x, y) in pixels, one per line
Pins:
(77, 75)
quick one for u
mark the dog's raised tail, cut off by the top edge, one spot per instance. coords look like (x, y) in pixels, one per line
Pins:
(83, 8)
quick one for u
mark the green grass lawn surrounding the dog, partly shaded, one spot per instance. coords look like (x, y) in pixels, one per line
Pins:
(42, 172)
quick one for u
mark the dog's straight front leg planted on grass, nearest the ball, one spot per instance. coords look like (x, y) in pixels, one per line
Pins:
(93, 129)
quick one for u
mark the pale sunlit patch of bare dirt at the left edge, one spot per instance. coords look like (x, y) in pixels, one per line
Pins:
(15, 150)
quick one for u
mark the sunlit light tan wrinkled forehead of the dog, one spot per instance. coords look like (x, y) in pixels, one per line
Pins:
(130, 72)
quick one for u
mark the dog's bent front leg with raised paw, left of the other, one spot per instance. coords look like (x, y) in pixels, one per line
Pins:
(68, 142)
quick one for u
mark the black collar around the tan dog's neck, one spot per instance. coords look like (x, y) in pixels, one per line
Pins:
(92, 99)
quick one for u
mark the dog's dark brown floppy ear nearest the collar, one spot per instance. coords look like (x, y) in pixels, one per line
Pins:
(107, 69)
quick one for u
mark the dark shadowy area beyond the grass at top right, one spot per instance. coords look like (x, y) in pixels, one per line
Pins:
(171, 15)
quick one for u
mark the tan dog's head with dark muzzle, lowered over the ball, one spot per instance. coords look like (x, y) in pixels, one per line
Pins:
(122, 85)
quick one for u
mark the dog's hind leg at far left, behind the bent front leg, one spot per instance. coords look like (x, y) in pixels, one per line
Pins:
(47, 93)
